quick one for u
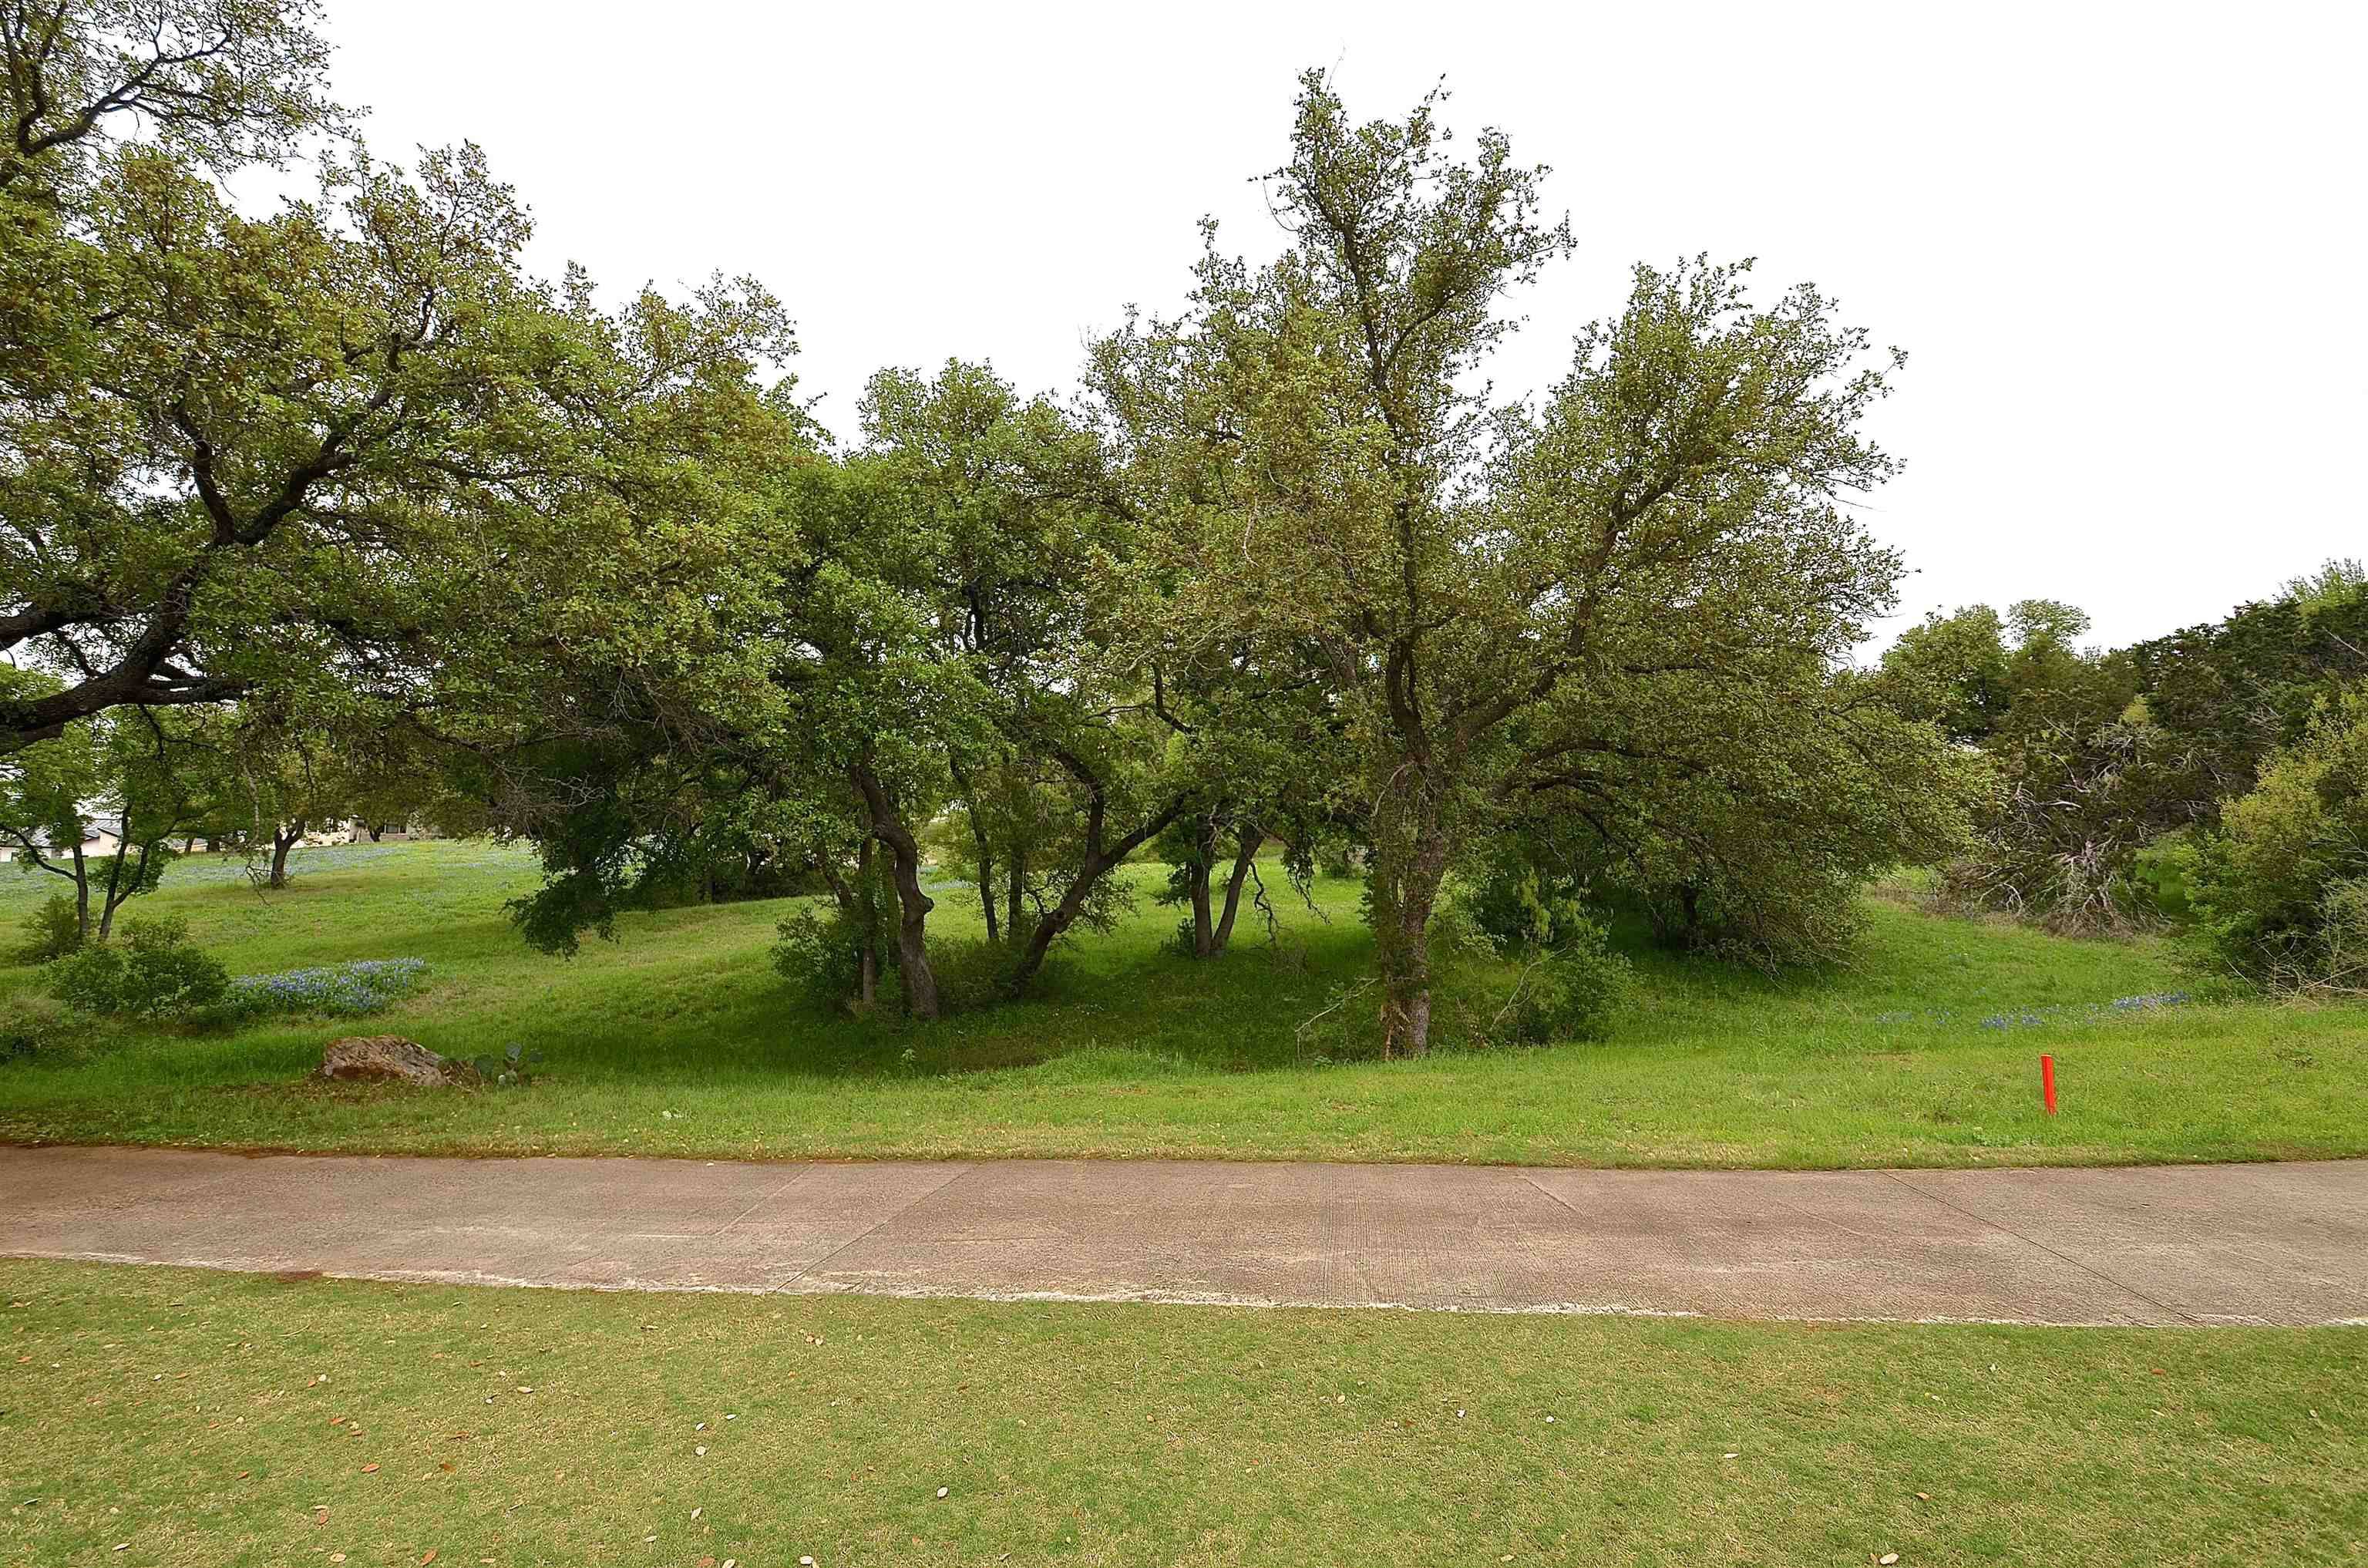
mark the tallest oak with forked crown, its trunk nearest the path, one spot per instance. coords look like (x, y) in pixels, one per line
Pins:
(1597, 612)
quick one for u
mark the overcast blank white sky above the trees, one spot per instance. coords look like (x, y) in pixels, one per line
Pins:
(2123, 245)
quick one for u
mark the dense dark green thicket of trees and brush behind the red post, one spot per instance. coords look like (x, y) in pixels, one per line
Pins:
(2203, 778)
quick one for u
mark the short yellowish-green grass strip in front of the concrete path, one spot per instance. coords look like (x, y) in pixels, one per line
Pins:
(179, 1413)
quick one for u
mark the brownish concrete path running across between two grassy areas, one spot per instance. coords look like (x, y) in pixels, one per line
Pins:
(2187, 1245)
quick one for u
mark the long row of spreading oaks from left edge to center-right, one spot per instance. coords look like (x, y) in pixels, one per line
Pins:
(342, 496)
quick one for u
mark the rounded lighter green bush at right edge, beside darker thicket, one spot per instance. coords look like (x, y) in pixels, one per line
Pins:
(2282, 889)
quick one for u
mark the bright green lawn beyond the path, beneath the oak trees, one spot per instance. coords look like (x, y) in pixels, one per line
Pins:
(681, 1041)
